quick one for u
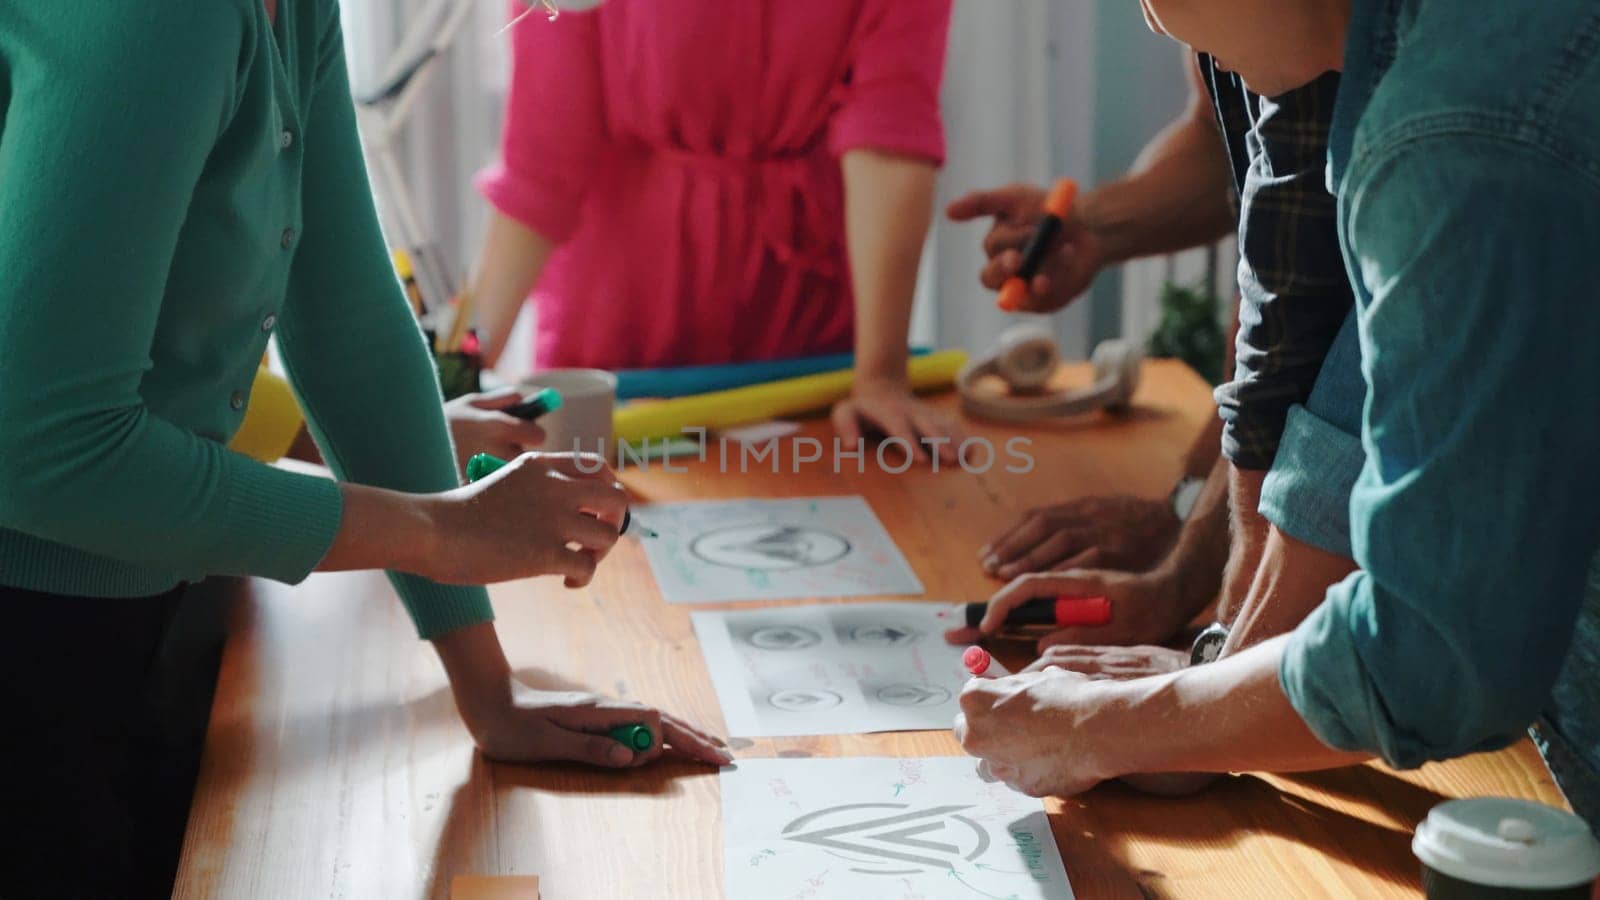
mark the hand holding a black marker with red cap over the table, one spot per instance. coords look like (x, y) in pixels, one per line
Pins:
(1146, 608)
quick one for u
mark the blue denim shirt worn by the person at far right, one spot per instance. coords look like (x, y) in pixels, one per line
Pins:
(1466, 163)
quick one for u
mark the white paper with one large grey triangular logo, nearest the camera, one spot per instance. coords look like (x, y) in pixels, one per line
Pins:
(882, 829)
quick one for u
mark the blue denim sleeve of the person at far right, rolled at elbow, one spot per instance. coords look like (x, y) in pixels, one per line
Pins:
(1476, 512)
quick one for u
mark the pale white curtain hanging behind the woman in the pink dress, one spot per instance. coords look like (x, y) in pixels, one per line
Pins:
(1031, 92)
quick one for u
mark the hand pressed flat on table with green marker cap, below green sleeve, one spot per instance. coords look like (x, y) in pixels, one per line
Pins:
(516, 723)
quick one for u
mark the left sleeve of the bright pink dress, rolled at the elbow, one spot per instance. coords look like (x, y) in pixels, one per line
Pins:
(554, 123)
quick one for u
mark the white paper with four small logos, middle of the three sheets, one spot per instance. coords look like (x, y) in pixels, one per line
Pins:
(833, 669)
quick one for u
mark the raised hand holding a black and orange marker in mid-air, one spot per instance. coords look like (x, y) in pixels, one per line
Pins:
(1071, 263)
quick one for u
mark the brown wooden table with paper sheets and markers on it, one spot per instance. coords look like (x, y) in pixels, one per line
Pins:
(337, 768)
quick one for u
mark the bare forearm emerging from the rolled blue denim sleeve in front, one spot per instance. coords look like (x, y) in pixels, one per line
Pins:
(1228, 717)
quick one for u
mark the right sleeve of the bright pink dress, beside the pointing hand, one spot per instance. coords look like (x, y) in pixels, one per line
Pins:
(892, 98)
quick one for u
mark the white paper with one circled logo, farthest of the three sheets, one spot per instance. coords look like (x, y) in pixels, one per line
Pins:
(758, 550)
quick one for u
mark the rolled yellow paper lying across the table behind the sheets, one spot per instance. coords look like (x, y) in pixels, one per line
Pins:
(642, 422)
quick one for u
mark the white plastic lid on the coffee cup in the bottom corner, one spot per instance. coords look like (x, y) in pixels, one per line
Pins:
(1508, 843)
